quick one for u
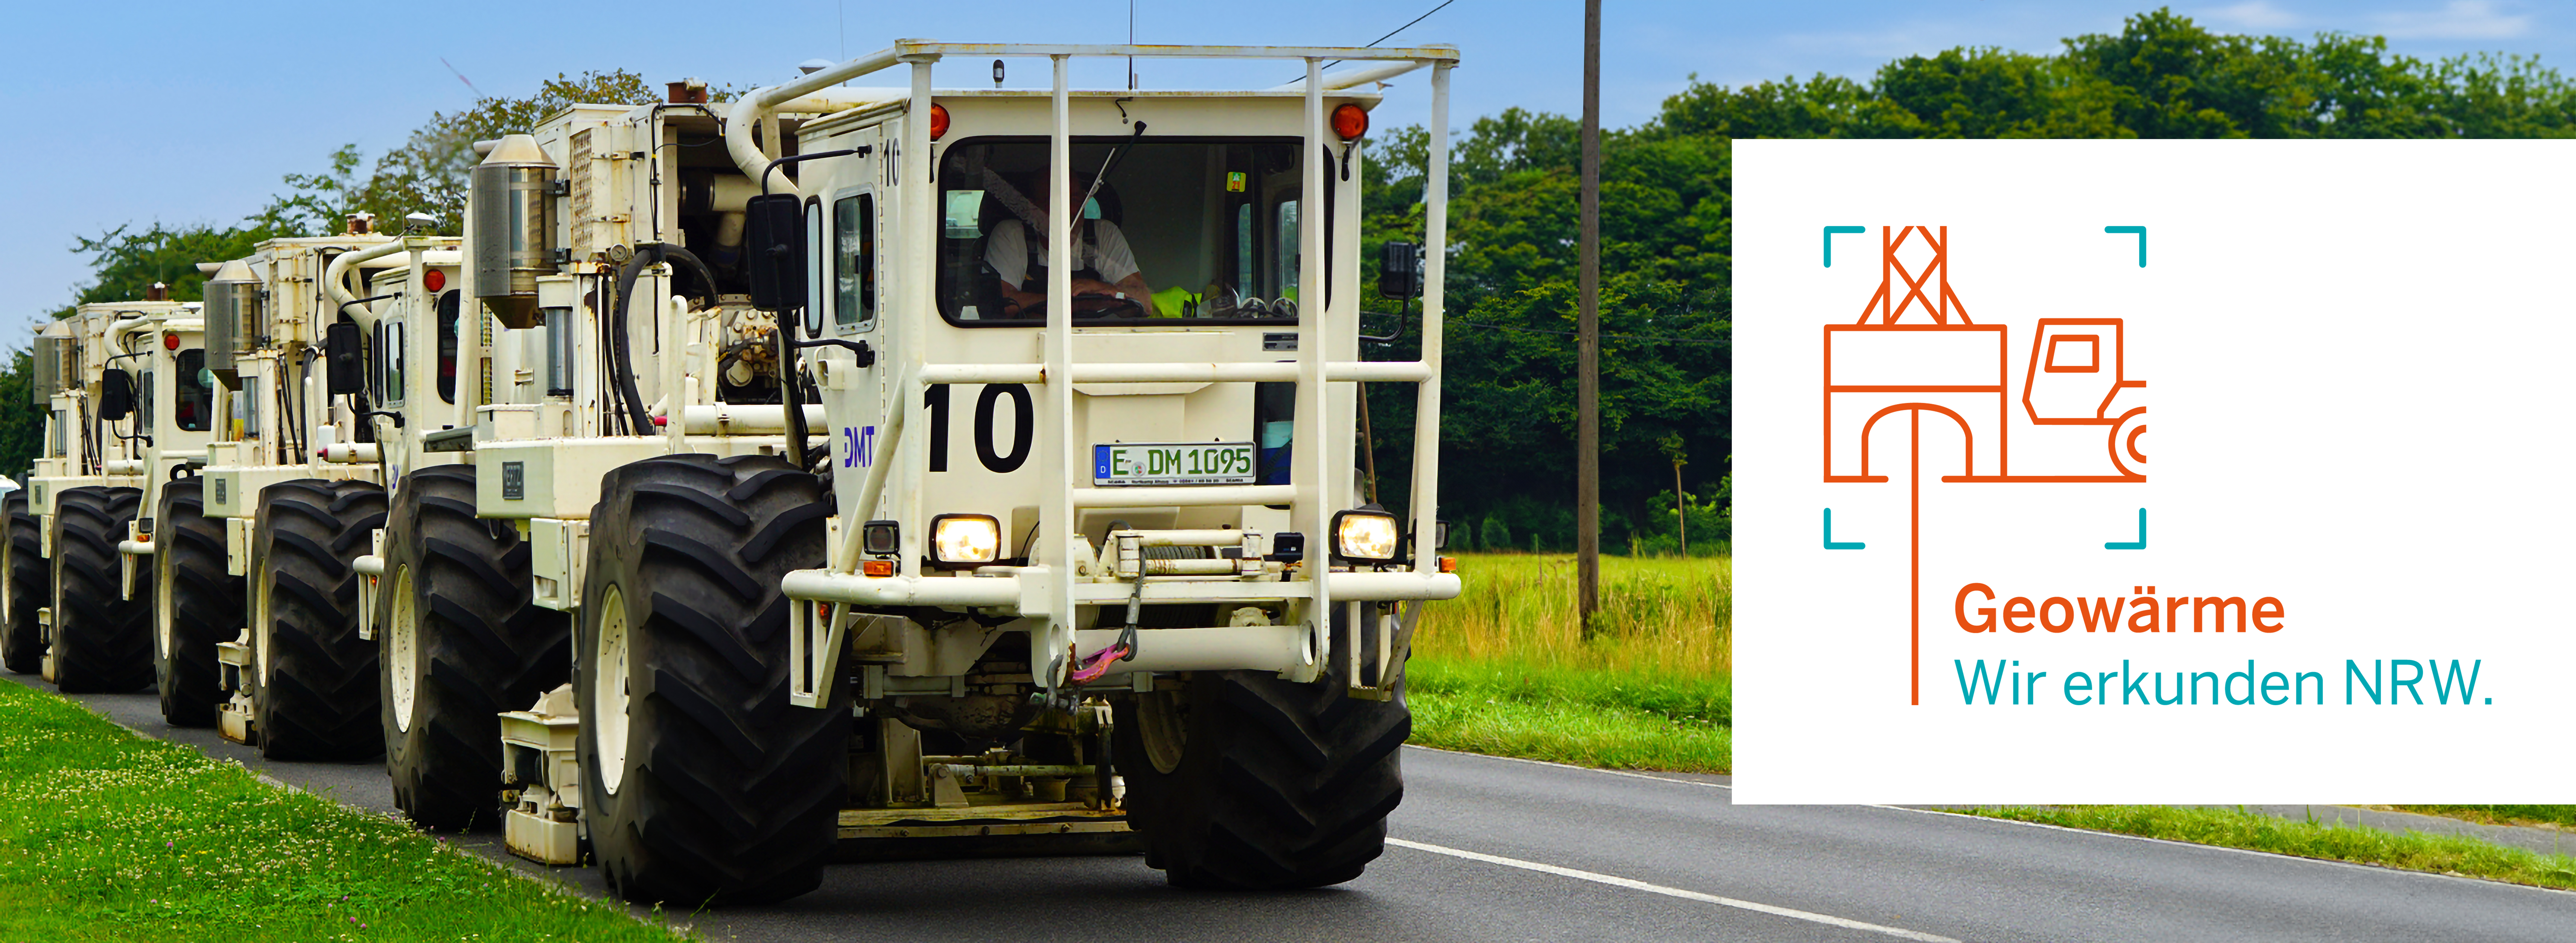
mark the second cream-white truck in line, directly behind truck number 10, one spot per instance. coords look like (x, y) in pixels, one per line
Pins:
(254, 566)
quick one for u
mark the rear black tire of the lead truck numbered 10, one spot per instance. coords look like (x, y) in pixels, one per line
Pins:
(460, 643)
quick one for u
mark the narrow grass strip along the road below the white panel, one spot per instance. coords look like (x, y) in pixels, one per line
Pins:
(2307, 839)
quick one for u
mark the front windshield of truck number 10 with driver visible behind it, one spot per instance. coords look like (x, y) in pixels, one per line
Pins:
(1179, 231)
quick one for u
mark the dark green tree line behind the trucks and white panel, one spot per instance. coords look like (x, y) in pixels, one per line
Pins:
(1668, 359)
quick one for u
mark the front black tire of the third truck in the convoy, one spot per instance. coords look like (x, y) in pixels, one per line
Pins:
(102, 640)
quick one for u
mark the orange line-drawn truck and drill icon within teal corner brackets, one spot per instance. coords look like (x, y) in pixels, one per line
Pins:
(2075, 401)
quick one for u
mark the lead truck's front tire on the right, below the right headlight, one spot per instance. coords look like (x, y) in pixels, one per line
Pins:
(1251, 782)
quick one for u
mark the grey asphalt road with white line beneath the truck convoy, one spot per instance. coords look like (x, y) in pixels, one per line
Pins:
(1526, 852)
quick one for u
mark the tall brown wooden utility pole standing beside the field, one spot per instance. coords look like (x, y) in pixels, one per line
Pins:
(1588, 475)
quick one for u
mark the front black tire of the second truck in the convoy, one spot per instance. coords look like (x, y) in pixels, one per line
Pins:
(313, 679)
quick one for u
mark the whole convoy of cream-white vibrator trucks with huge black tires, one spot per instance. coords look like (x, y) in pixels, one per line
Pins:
(823, 473)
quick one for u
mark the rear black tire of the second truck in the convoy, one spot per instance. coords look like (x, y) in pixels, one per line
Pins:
(197, 604)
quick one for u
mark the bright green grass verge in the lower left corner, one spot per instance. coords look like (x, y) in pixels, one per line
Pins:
(107, 836)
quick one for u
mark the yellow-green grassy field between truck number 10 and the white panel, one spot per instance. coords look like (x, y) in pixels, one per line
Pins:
(1508, 669)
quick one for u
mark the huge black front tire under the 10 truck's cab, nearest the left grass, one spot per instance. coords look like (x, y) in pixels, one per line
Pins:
(699, 779)
